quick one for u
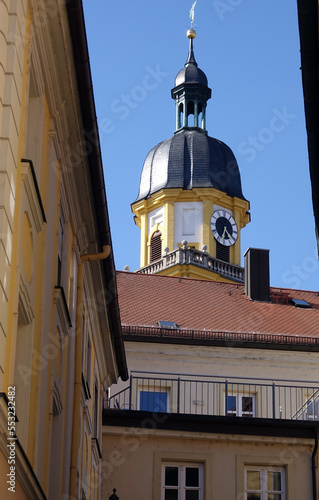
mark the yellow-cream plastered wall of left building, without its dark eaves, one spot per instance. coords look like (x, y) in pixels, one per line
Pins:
(40, 120)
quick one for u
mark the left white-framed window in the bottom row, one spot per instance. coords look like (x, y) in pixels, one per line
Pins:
(182, 481)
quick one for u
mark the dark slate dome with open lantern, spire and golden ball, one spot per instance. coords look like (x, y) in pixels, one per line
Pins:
(190, 159)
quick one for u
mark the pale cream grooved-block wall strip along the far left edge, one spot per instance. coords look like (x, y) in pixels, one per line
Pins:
(12, 32)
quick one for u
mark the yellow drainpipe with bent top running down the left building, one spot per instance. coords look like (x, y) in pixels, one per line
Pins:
(76, 422)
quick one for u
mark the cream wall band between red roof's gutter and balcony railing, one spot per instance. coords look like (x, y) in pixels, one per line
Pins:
(222, 361)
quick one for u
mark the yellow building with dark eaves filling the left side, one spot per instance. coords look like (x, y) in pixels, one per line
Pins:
(60, 338)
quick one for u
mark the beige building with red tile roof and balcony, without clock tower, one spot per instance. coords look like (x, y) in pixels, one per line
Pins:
(223, 390)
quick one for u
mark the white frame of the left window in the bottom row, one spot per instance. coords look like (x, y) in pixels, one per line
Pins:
(181, 488)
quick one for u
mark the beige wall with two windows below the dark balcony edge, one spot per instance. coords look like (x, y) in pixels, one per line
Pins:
(132, 461)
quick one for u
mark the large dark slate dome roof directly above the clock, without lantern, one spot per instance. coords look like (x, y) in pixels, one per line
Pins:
(190, 159)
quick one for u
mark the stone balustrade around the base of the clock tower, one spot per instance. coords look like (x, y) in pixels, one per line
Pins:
(198, 258)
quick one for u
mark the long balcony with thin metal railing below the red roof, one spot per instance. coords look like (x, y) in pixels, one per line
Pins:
(218, 396)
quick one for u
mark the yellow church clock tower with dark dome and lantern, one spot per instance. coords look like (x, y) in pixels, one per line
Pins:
(190, 207)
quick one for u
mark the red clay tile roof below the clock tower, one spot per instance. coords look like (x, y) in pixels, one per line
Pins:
(145, 299)
